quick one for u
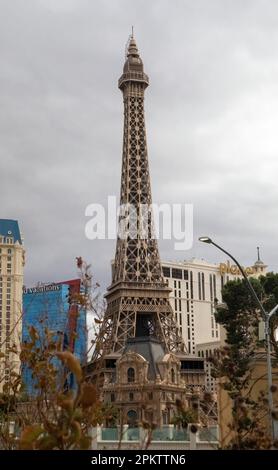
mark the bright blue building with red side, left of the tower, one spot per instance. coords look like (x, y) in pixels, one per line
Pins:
(56, 308)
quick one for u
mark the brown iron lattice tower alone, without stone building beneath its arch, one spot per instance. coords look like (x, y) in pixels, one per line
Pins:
(138, 298)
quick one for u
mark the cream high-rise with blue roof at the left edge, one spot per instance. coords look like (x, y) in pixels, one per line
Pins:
(11, 284)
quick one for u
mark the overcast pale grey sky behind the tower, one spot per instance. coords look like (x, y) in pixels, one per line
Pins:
(211, 114)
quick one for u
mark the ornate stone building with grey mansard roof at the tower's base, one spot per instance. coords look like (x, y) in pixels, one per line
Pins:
(147, 382)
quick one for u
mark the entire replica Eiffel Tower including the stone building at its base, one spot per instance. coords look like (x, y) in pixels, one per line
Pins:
(139, 346)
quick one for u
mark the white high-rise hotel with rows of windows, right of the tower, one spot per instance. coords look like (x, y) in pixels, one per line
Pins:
(196, 288)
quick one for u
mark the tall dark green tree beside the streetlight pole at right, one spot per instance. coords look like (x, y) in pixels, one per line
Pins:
(236, 363)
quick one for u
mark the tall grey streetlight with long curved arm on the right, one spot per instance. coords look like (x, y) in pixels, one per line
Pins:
(266, 317)
